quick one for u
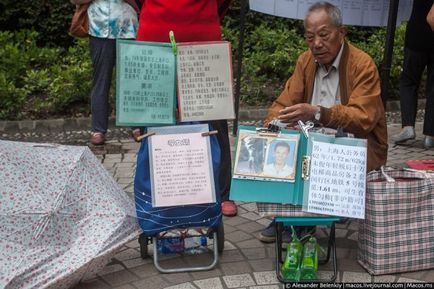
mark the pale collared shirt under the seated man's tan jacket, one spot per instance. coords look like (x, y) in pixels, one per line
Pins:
(326, 91)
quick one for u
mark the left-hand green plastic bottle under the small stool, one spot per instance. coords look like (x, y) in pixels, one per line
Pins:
(291, 265)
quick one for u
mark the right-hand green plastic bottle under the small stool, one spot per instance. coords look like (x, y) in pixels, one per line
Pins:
(309, 263)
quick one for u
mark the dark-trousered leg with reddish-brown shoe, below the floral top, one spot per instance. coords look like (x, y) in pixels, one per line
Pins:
(103, 56)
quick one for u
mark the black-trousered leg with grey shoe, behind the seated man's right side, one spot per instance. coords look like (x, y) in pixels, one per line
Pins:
(413, 67)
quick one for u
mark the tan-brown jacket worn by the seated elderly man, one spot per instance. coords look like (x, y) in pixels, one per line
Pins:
(361, 111)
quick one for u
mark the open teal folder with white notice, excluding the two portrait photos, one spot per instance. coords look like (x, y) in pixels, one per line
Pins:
(312, 147)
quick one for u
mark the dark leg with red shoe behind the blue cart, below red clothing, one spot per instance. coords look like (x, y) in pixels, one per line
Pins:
(229, 208)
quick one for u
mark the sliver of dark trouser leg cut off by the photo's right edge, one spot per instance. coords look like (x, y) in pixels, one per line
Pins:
(428, 124)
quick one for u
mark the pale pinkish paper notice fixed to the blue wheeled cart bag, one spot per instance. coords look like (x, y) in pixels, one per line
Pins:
(181, 170)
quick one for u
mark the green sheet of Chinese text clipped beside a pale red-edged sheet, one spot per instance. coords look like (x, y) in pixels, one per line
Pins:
(145, 84)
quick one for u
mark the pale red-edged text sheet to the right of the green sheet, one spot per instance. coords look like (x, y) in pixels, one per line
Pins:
(205, 82)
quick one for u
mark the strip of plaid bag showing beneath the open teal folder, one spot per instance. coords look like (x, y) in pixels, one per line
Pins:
(282, 210)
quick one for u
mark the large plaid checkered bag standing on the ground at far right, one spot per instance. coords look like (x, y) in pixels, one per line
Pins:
(397, 234)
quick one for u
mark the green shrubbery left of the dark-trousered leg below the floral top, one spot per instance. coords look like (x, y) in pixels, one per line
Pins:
(42, 82)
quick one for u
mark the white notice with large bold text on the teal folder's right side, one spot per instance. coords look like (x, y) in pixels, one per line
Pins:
(337, 180)
